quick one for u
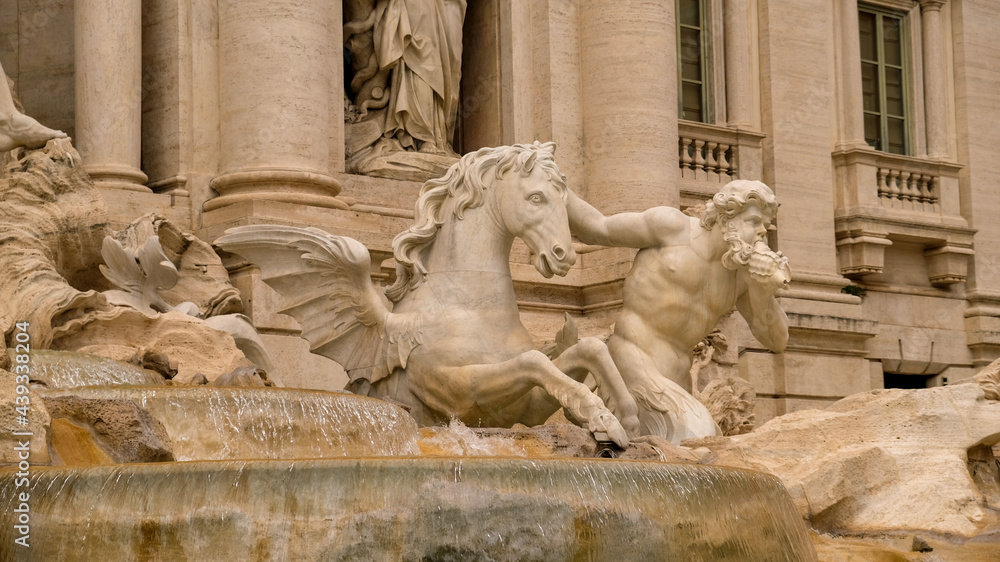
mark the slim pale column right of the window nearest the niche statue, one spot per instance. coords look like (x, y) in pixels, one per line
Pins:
(738, 86)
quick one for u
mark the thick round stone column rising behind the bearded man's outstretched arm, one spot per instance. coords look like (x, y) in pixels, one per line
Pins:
(629, 87)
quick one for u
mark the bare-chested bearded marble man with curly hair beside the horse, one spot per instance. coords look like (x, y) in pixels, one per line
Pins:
(688, 274)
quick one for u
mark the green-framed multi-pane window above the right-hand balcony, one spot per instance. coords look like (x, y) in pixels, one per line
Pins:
(906, 76)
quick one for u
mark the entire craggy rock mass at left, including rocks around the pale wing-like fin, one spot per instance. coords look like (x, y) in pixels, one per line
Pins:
(53, 226)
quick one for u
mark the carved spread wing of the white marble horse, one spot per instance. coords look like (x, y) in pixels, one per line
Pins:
(326, 285)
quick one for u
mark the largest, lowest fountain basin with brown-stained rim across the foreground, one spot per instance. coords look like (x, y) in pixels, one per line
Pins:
(406, 509)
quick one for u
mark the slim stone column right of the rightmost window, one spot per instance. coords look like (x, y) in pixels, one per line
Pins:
(934, 79)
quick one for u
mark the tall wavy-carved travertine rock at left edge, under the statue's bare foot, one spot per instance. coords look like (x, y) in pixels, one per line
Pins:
(52, 222)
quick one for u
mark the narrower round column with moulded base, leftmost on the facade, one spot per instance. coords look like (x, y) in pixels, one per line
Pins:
(108, 53)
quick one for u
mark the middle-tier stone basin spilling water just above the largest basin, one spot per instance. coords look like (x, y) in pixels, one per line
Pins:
(226, 423)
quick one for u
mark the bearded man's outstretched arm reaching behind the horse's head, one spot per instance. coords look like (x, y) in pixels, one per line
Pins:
(652, 227)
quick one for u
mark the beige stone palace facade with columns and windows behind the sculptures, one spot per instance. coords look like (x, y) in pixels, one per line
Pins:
(871, 120)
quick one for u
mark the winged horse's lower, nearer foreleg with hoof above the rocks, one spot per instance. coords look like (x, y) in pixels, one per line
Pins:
(490, 389)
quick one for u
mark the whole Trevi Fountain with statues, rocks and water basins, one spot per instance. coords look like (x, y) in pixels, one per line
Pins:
(144, 417)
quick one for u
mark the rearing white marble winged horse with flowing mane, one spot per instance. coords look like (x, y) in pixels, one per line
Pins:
(453, 345)
